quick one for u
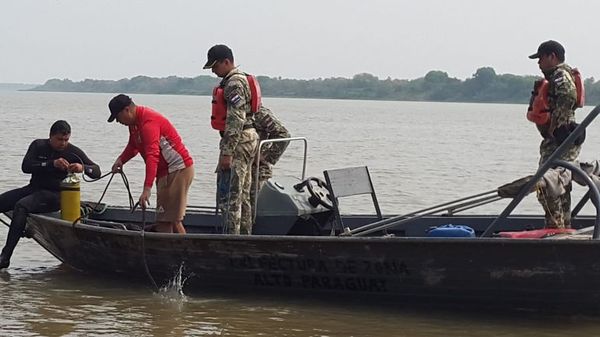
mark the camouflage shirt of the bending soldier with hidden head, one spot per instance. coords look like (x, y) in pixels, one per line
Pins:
(269, 127)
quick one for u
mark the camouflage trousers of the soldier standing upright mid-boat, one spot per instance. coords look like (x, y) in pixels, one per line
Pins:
(233, 186)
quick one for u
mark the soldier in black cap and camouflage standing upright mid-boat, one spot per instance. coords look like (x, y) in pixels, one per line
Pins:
(238, 143)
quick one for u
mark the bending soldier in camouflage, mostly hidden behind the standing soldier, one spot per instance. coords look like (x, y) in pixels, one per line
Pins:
(268, 127)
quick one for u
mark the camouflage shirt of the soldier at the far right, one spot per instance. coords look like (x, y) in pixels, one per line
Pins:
(562, 94)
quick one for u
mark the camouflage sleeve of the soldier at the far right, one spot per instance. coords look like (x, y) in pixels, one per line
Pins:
(562, 89)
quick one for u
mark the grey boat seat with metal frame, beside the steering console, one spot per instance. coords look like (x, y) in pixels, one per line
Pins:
(348, 182)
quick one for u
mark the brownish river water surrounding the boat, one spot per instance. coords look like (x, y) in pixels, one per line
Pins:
(418, 153)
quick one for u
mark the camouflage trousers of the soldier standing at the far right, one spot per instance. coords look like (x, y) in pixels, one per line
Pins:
(557, 209)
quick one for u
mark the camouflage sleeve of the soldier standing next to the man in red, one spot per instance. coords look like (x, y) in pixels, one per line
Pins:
(237, 101)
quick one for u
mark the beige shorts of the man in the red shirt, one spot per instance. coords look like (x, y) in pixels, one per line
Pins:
(171, 195)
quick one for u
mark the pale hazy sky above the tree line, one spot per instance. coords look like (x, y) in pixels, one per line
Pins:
(303, 39)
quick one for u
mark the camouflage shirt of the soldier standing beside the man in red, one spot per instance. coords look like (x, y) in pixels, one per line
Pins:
(237, 94)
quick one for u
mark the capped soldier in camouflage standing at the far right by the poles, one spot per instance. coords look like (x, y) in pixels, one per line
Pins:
(562, 97)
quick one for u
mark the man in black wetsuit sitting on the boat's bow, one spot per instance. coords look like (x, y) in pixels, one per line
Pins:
(48, 161)
